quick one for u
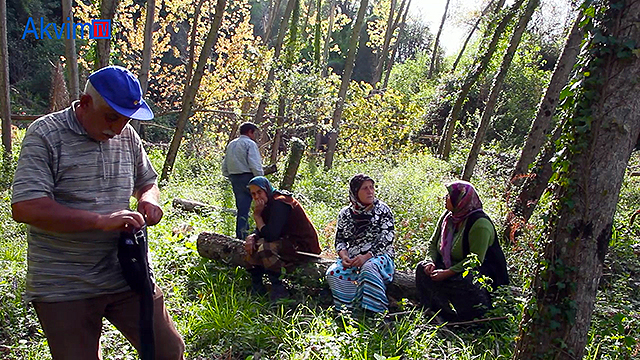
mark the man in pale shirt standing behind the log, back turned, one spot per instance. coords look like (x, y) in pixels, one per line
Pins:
(241, 163)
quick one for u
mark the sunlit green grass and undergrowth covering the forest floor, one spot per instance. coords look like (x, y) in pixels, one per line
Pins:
(212, 308)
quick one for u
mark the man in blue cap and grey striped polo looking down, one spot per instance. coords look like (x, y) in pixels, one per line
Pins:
(77, 171)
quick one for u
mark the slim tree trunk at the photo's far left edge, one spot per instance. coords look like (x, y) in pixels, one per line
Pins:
(5, 99)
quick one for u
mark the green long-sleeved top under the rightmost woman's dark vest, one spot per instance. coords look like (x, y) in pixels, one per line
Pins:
(481, 236)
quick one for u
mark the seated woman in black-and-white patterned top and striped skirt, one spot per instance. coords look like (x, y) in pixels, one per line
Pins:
(364, 243)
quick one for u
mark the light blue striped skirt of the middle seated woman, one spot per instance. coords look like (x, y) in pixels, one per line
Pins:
(363, 287)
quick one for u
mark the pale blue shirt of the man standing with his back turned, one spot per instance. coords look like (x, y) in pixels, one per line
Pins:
(242, 156)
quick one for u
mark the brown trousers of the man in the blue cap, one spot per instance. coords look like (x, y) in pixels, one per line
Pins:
(73, 328)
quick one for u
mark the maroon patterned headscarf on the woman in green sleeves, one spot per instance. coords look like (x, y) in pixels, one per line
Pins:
(465, 201)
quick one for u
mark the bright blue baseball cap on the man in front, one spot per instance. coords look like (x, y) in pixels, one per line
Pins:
(121, 90)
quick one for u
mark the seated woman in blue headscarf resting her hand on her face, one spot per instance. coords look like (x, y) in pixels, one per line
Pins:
(282, 229)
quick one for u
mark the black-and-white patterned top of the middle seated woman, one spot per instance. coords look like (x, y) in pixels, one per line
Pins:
(378, 238)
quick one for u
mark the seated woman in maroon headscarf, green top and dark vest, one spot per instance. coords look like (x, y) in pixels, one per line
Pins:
(463, 233)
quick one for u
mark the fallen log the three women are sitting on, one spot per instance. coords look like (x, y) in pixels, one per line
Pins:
(230, 251)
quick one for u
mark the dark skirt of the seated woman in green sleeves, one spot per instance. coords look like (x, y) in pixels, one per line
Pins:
(467, 298)
